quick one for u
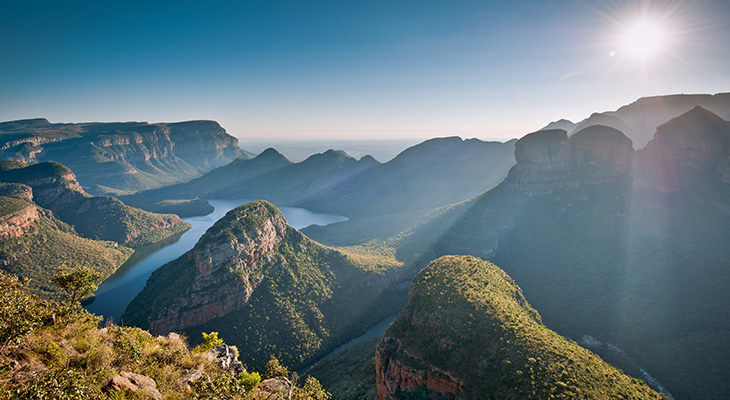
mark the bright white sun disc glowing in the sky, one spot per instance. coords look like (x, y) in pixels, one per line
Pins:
(644, 39)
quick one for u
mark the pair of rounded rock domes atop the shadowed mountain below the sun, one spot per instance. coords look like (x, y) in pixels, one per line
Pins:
(548, 160)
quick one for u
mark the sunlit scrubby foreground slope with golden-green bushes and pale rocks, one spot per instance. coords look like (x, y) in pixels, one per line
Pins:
(52, 350)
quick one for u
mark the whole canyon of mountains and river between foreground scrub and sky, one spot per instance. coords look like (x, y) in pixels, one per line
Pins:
(489, 253)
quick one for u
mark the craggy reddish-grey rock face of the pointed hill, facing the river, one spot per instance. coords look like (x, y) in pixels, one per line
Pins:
(239, 250)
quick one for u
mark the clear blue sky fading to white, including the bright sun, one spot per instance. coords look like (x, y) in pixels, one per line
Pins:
(347, 69)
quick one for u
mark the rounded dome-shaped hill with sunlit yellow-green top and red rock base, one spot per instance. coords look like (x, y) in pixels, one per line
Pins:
(468, 333)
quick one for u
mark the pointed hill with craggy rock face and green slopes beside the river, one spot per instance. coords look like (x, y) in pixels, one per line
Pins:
(268, 289)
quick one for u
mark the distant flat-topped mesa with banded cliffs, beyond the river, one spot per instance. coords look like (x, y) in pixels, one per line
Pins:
(122, 156)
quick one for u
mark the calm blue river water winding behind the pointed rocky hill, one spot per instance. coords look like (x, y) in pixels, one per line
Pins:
(113, 296)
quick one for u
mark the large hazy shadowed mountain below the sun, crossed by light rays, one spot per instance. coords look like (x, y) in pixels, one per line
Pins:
(588, 233)
